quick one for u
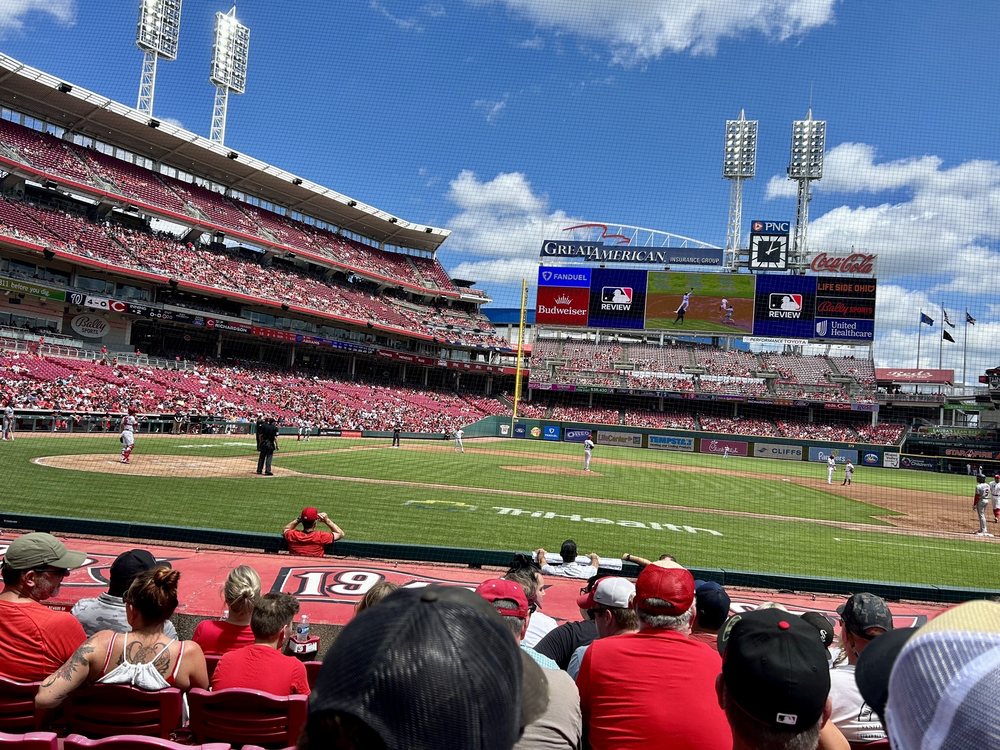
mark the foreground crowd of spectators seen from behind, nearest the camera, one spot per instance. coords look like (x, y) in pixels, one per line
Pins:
(442, 666)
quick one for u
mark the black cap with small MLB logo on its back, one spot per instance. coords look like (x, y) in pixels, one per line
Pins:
(775, 669)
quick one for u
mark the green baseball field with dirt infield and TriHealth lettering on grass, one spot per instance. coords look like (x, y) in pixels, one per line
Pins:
(709, 511)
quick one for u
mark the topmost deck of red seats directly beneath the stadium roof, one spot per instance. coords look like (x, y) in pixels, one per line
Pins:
(59, 158)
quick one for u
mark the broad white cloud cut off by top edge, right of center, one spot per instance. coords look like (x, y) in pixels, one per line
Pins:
(650, 28)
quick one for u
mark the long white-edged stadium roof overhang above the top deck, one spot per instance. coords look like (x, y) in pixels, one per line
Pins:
(36, 93)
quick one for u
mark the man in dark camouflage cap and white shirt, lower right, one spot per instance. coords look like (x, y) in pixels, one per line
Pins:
(863, 618)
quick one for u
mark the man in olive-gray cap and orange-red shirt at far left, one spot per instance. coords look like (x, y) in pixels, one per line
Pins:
(35, 640)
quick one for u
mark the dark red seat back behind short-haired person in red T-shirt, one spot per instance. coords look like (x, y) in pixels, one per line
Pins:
(244, 717)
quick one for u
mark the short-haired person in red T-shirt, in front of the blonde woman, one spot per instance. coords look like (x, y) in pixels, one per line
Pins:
(261, 665)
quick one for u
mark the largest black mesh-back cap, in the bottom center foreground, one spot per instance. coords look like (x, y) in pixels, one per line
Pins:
(431, 668)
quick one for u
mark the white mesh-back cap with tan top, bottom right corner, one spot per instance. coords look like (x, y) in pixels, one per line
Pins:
(944, 685)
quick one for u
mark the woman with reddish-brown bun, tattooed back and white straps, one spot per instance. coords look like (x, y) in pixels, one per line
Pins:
(144, 658)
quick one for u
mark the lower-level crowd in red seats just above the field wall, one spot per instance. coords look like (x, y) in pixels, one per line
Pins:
(232, 392)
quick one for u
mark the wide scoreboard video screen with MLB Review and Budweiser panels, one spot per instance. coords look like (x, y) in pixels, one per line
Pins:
(773, 306)
